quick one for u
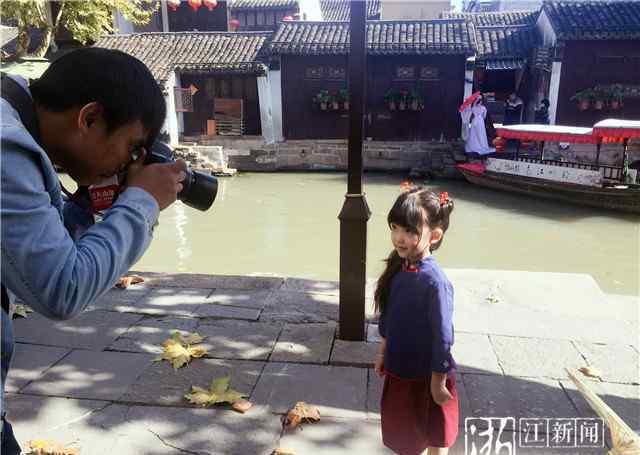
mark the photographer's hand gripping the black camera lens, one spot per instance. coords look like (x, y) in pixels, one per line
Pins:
(162, 181)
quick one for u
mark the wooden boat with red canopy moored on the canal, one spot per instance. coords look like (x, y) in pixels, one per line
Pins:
(595, 185)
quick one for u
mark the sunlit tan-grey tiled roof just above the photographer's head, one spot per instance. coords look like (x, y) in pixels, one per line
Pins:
(221, 52)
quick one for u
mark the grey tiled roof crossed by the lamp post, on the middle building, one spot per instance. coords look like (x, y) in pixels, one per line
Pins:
(383, 37)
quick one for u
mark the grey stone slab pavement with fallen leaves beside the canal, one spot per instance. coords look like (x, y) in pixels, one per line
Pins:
(90, 382)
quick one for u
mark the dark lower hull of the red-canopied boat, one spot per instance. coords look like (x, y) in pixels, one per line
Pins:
(620, 199)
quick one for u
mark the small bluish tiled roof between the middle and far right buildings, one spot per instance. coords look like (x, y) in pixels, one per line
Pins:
(499, 42)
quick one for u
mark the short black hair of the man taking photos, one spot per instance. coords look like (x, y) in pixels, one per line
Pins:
(120, 83)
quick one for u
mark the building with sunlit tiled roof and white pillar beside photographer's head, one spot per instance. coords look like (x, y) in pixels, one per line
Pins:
(210, 80)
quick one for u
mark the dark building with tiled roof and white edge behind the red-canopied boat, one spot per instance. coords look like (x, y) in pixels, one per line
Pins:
(596, 60)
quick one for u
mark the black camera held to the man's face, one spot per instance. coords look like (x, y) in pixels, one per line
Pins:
(199, 190)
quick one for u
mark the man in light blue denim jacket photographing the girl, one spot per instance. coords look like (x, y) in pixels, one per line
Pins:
(92, 113)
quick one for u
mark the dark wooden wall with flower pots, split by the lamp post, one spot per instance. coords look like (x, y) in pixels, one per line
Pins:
(442, 96)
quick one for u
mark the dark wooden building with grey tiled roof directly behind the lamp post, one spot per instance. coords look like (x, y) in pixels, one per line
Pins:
(415, 78)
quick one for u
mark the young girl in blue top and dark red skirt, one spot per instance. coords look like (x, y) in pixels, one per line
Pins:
(419, 404)
